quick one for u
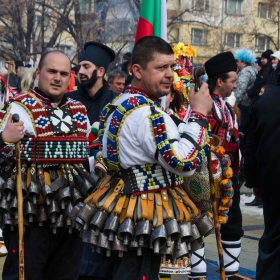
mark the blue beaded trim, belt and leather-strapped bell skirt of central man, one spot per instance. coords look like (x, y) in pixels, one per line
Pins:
(143, 206)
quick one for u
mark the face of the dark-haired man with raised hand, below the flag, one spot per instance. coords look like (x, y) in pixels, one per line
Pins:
(157, 78)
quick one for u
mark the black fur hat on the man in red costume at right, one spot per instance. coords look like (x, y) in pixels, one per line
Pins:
(220, 63)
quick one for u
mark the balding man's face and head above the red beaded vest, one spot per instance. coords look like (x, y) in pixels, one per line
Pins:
(54, 76)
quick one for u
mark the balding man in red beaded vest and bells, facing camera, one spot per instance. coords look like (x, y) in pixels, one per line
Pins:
(53, 134)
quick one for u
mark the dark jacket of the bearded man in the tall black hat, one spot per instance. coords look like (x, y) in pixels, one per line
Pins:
(95, 104)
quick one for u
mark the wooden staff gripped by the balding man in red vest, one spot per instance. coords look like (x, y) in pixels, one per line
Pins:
(20, 208)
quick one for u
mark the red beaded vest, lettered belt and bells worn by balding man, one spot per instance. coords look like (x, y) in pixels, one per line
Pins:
(54, 179)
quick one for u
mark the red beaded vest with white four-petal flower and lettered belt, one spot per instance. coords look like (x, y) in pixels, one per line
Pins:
(60, 132)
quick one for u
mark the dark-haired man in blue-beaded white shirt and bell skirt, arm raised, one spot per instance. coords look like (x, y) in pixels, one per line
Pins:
(139, 207)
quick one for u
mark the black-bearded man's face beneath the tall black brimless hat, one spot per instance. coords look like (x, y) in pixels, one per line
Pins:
(87, 73)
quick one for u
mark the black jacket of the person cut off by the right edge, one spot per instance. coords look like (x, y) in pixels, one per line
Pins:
(261, 149)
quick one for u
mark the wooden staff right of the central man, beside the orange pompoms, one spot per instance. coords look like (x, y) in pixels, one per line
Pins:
(216, 218)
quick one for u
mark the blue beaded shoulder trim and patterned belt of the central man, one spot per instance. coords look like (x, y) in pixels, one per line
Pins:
(148, 177)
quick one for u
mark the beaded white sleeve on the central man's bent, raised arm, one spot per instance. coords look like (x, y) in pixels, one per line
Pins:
(186, 153)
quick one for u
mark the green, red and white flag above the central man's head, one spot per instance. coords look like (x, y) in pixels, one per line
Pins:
(152, 20)
